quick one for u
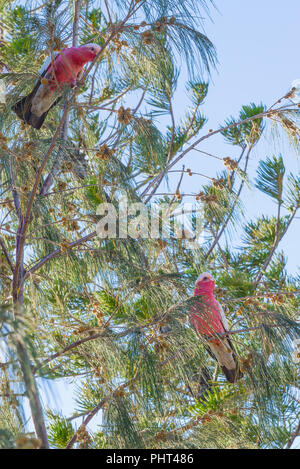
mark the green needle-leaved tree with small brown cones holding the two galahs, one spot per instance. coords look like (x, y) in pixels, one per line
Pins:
(111, 314)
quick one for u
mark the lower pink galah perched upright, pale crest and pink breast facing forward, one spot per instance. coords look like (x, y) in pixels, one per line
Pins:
(208, 318)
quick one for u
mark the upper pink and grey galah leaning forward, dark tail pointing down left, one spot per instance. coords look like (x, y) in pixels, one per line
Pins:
(64, 68)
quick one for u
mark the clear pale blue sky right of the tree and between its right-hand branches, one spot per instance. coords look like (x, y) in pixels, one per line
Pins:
(257, 44)
